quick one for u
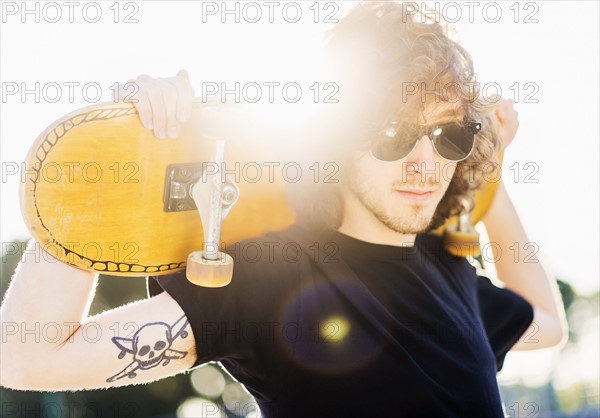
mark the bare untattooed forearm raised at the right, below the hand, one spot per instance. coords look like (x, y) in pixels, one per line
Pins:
(525, 274)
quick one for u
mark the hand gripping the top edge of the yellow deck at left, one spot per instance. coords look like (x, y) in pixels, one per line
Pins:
(162, 103)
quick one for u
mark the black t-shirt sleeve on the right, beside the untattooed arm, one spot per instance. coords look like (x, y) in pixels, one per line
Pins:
(505, 316)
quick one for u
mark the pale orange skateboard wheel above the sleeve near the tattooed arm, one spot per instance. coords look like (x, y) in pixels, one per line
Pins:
(209, 273)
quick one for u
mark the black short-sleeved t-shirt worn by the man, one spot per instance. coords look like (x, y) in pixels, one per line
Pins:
(328, 325)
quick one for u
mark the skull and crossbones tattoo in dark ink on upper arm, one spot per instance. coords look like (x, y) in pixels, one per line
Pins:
(150, 345)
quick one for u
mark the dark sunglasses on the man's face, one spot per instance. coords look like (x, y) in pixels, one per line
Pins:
(453, 141)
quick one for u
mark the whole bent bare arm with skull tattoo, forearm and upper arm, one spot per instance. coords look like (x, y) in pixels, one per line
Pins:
(43, 348)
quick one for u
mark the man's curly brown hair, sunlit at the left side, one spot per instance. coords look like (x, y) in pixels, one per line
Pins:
(378, 51)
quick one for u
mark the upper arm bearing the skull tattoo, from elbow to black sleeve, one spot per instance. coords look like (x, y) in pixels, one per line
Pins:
(136, 343)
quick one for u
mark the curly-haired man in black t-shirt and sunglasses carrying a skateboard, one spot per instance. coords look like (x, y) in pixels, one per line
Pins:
(371, 317)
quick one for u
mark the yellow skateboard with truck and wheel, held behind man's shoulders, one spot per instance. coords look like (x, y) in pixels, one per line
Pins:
(104, 194)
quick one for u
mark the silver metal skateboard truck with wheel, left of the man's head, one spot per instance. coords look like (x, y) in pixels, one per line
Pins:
(214, 197)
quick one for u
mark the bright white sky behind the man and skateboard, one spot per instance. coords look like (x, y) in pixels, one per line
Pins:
(544, 55)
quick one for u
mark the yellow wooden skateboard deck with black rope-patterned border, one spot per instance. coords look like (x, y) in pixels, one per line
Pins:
(97, 198)
